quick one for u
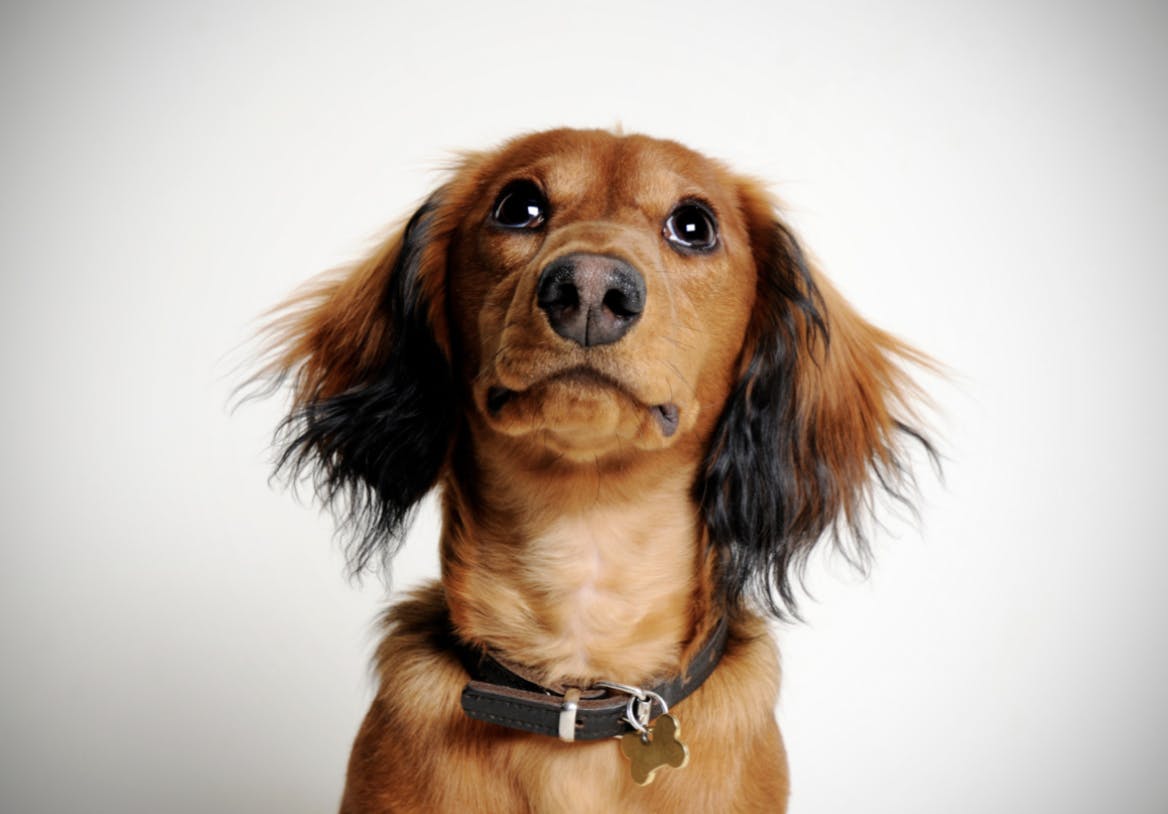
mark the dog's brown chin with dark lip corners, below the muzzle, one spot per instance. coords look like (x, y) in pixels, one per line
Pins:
(582, 419)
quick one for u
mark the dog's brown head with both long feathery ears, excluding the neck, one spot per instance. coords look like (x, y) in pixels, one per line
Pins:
(585, 300)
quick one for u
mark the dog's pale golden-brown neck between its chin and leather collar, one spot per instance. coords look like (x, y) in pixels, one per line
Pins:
(576, 573)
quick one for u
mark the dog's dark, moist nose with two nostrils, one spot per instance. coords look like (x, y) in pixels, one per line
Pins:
(592, 300)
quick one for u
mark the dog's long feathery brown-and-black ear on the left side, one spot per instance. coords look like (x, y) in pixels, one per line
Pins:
(373, 402)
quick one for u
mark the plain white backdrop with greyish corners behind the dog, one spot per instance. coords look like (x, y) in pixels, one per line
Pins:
(985, 179)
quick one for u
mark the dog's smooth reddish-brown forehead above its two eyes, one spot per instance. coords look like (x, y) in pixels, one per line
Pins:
(620, 170)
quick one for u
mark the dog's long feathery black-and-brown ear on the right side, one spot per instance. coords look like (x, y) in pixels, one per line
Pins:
(815, 427)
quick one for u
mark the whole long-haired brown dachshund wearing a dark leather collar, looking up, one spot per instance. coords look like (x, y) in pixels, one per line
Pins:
(643, 407)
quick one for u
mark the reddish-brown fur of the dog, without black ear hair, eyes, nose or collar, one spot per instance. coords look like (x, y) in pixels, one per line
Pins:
(573, 540)
